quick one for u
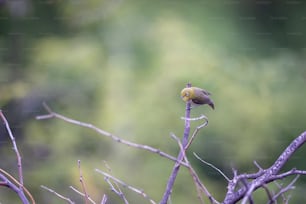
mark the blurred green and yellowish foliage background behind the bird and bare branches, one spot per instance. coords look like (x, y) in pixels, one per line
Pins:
(120, 65)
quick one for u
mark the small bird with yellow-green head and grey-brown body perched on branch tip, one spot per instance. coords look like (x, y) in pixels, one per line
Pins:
(197, 96)
